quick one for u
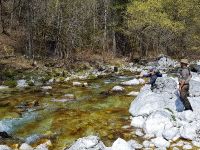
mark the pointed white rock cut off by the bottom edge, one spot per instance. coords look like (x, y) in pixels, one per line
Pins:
(121, 144)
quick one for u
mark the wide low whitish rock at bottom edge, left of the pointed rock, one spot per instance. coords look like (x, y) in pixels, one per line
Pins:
(88, 143)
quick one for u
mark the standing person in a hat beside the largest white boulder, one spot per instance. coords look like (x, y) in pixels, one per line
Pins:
(184, 79)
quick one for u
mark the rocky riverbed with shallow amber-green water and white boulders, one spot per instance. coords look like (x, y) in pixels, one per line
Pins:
(94, 105)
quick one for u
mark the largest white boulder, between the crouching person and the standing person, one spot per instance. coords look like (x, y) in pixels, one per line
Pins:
(164, 96)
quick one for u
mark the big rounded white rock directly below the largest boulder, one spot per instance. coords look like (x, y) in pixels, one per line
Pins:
(156, 122)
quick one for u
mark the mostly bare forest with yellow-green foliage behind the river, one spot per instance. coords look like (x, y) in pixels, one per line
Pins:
(133, 28)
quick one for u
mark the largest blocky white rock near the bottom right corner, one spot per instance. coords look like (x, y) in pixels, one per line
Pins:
(188, 131)
